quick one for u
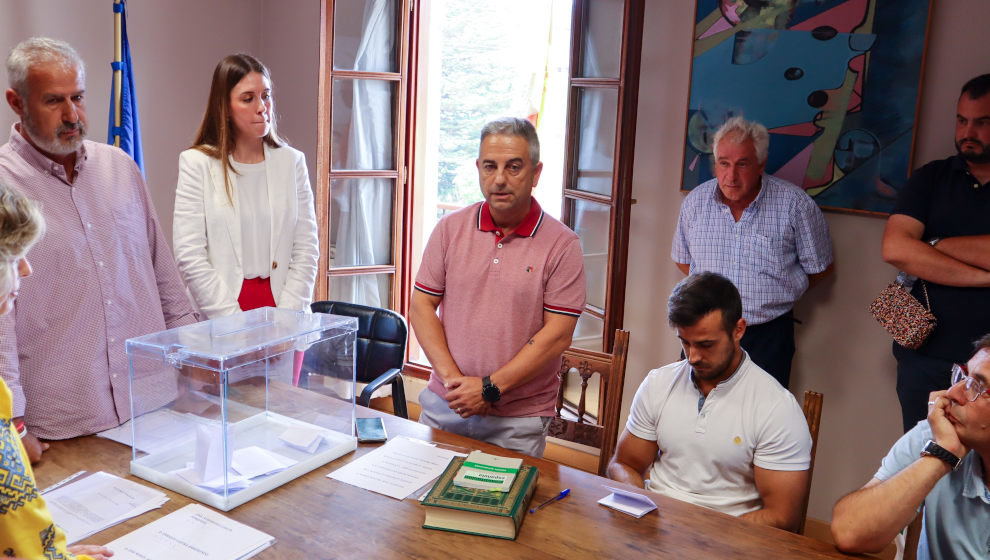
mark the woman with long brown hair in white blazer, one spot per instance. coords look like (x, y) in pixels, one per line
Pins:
(244, 228)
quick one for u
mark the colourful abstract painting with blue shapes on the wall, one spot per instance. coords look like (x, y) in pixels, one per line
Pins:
(836, 82)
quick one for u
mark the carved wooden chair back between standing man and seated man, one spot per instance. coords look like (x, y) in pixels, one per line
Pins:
(598, 428)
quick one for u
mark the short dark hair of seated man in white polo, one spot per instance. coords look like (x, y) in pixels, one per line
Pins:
(698, 295)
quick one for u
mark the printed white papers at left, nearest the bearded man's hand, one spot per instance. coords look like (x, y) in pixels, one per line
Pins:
(93, 503)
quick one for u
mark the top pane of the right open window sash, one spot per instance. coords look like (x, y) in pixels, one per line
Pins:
(601, 44)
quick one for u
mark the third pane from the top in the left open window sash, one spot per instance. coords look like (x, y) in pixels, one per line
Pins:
(361, 222)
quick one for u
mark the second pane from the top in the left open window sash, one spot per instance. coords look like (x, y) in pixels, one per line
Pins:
(363, 140)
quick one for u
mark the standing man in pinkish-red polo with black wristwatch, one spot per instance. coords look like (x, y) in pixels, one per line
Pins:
(508, 282)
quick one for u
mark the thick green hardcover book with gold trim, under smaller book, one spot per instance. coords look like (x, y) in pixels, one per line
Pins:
(479, 512)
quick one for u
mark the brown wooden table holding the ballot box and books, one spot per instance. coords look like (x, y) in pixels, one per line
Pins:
(314, 517)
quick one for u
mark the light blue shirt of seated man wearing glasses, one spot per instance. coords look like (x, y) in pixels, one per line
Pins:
(957, 510)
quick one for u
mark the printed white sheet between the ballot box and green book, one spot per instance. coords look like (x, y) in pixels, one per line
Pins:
(396, 469)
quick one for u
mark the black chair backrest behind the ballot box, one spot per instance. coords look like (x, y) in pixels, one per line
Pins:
(381, 337)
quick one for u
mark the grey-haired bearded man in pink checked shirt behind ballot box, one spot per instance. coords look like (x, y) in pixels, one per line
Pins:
(104, 270)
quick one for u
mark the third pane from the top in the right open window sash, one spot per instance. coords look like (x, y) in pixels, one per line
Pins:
(590, 221)
